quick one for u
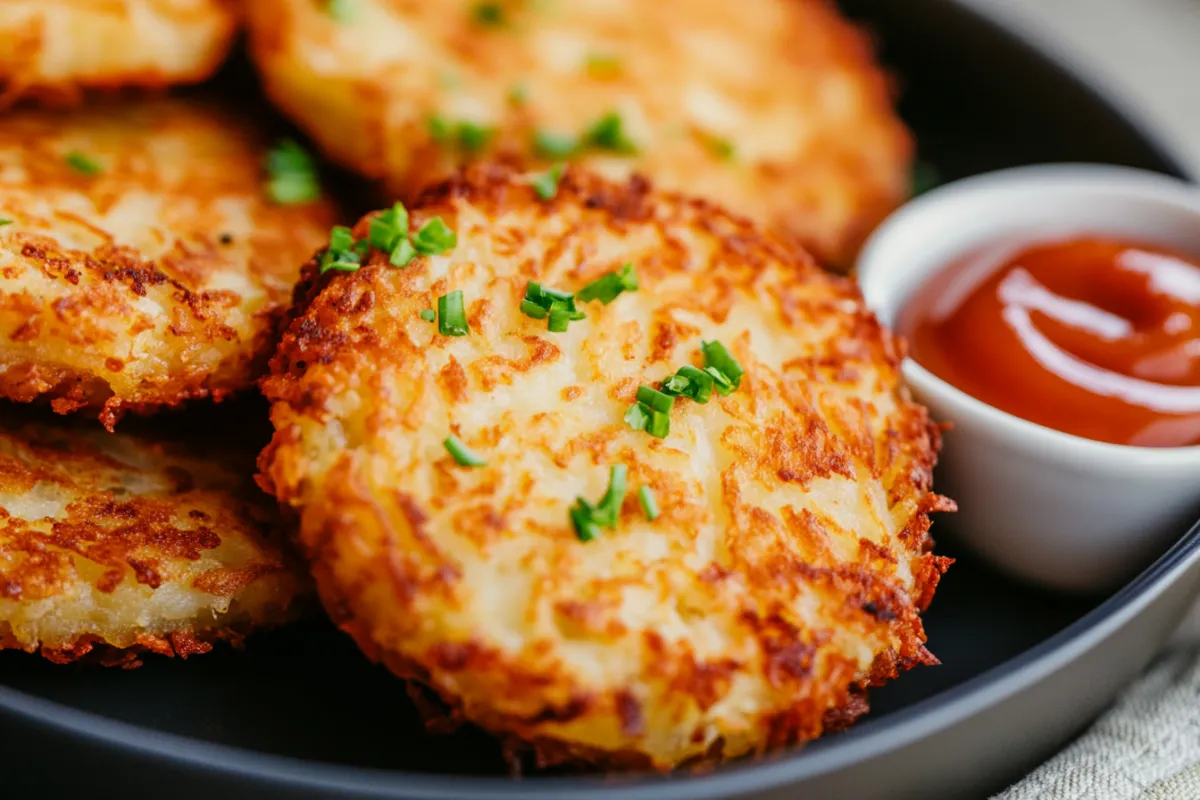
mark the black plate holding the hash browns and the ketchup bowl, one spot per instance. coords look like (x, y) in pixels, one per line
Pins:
(303, 714)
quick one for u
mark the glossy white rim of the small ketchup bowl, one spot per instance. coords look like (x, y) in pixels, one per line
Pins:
(875, 266)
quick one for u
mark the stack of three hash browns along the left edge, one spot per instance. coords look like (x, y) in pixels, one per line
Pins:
(146, 262)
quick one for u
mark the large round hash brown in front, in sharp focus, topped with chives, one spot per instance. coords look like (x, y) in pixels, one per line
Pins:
(791, 560)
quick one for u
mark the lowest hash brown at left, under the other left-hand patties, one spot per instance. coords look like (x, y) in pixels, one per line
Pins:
(113, 545)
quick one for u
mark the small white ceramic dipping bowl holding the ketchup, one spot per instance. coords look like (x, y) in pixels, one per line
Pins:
(1048, 507)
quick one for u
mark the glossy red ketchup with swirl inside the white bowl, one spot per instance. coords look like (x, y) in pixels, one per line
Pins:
(1095, 338)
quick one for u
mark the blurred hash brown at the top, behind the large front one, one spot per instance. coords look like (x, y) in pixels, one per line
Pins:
(775, 109)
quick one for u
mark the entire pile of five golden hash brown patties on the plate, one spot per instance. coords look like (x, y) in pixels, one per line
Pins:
(614, 473)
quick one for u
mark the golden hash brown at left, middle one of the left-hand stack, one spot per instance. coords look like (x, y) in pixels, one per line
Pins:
(142, 263)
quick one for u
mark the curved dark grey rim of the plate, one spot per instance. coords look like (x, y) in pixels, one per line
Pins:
(866, 741)
